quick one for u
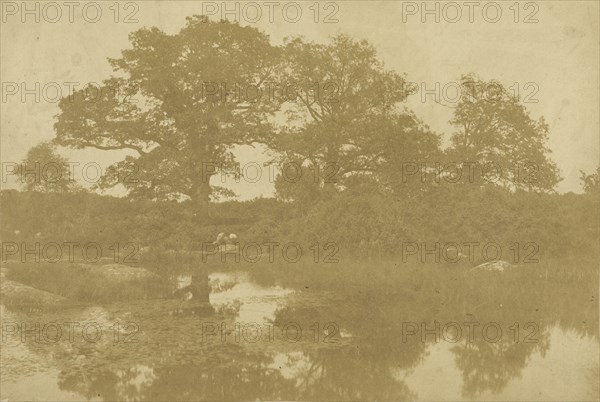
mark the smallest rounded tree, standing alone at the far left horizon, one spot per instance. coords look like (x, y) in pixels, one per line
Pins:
(44, 170)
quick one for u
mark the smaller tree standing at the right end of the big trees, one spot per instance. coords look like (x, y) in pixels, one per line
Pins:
(493, 127)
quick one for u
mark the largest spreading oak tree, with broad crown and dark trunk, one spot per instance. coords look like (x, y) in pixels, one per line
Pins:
(173, 101)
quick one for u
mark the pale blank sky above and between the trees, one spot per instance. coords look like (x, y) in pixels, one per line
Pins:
(558, 56)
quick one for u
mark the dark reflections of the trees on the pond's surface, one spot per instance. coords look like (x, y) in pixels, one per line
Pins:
(171, 360)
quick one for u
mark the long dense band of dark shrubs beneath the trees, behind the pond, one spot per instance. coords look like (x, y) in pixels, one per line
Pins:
(564, 226)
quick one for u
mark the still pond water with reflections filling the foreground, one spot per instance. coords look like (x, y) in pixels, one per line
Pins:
(261, 339)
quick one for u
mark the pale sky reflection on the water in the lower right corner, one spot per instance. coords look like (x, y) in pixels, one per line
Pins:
(568, 370)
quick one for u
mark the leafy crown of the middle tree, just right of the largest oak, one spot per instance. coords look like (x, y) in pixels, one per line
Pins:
(338, 128)
